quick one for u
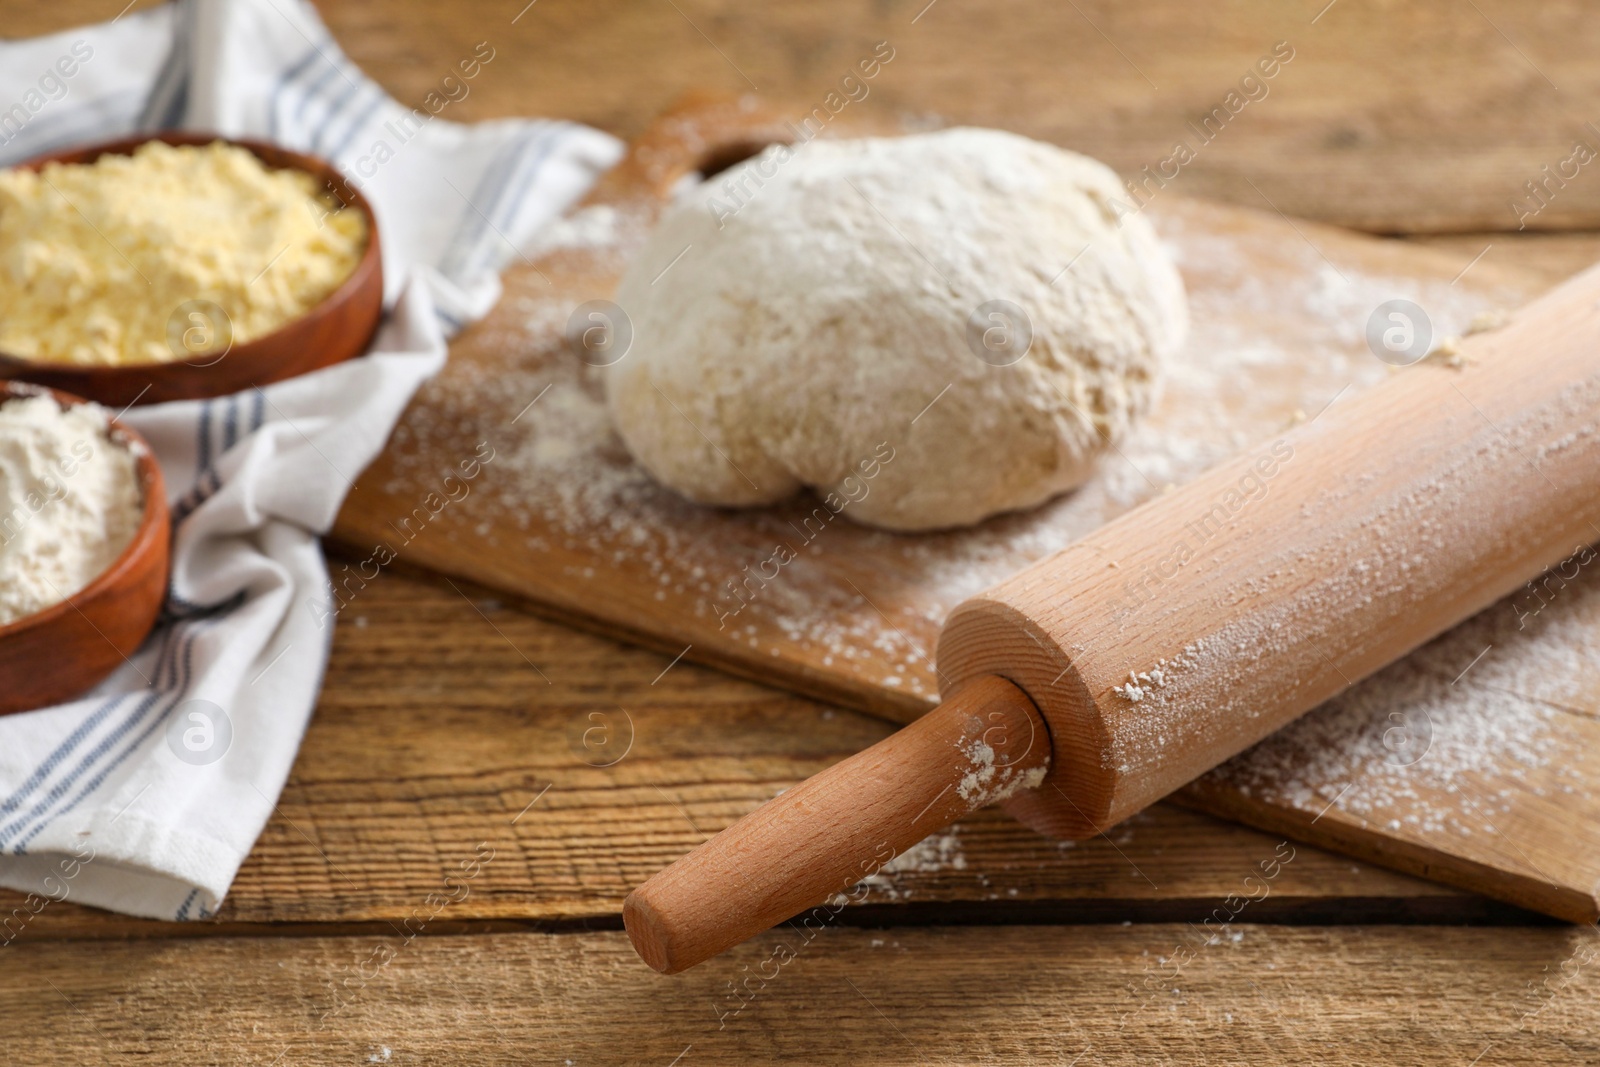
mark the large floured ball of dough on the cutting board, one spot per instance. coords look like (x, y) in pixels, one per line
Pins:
(825, 316)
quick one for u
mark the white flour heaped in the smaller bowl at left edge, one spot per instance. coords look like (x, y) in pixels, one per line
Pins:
(70, 502)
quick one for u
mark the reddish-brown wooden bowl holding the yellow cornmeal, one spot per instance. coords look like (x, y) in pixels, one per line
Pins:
(335, 330)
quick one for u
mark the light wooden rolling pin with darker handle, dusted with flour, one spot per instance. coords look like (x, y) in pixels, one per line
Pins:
(1105, 677)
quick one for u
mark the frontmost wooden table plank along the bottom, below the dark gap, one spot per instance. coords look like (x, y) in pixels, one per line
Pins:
(1159, 994)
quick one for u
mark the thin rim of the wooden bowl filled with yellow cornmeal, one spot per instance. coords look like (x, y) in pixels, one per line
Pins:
(306, 162)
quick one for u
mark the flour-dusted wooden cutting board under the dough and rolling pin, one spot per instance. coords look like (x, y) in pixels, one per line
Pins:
(1474, 761)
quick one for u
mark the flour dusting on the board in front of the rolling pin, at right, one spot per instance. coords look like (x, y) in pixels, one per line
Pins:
(1410, 748)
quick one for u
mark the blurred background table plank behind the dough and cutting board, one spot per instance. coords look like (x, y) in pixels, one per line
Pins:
(1391, 118)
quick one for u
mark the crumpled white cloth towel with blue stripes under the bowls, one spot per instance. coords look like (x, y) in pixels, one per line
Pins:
(148, 794)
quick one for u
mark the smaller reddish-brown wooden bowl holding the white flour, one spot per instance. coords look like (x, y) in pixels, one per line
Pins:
(58, 653)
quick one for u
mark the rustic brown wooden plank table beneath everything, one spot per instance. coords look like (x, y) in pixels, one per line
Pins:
(442, 881)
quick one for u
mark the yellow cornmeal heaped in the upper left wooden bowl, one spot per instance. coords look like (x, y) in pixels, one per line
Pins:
(106, 263)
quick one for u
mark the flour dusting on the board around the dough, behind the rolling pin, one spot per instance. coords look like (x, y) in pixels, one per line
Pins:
(858, 602)
